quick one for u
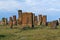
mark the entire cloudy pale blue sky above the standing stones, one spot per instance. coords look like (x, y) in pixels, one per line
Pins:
(51, 8)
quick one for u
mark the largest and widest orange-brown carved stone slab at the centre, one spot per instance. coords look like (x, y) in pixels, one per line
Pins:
(27, 19)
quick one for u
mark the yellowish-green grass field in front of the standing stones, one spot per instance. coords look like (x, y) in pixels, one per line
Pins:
(37, 33)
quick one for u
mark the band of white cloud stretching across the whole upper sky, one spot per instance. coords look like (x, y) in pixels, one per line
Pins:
(33, 5)
